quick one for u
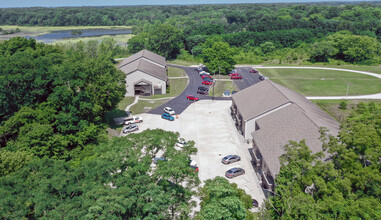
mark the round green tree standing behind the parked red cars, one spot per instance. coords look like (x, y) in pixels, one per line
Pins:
(218, 56)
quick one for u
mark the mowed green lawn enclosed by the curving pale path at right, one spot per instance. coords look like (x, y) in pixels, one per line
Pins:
(324, 82)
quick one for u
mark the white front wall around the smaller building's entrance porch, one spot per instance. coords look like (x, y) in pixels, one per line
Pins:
(135, 77)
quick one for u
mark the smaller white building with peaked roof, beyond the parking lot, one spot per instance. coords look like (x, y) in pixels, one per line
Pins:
(146, 74)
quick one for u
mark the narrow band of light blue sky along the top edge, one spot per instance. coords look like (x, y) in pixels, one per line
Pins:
(59, 3)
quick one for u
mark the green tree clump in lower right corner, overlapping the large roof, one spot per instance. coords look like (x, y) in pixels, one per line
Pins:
(347, 186)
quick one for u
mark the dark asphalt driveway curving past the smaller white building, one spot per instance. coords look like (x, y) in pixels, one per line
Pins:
(180, 103)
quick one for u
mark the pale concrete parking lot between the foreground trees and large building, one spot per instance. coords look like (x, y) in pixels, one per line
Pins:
(210, 125)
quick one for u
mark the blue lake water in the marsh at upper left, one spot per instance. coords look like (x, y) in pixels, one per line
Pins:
(60, 35)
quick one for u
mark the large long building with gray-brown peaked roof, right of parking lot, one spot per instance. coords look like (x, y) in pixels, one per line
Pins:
(270, 115)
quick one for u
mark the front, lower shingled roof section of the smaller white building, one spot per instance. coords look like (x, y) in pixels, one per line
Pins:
(146, 67)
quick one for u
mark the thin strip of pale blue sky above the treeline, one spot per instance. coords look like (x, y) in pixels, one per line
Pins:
(115, 3)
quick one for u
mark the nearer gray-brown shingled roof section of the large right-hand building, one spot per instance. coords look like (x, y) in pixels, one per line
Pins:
(278, 128)
